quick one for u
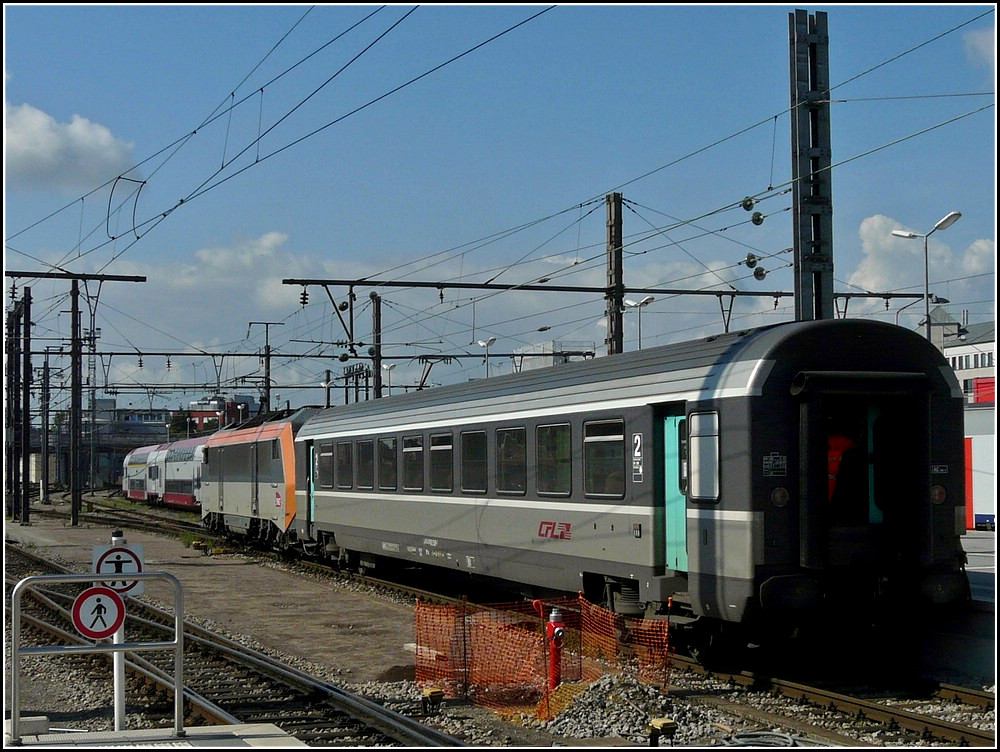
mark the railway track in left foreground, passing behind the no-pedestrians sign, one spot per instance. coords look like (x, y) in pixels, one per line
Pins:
(229, 683)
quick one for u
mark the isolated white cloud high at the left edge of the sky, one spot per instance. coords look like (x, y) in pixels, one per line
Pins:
(42, 153)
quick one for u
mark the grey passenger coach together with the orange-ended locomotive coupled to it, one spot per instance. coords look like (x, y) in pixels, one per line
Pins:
(758, 478)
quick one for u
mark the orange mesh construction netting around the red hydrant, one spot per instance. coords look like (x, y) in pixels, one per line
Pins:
(500, 656)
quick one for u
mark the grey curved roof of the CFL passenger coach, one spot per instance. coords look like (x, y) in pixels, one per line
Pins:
(732, 364)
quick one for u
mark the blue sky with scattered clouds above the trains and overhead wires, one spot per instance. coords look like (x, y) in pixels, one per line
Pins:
(257, 143)
